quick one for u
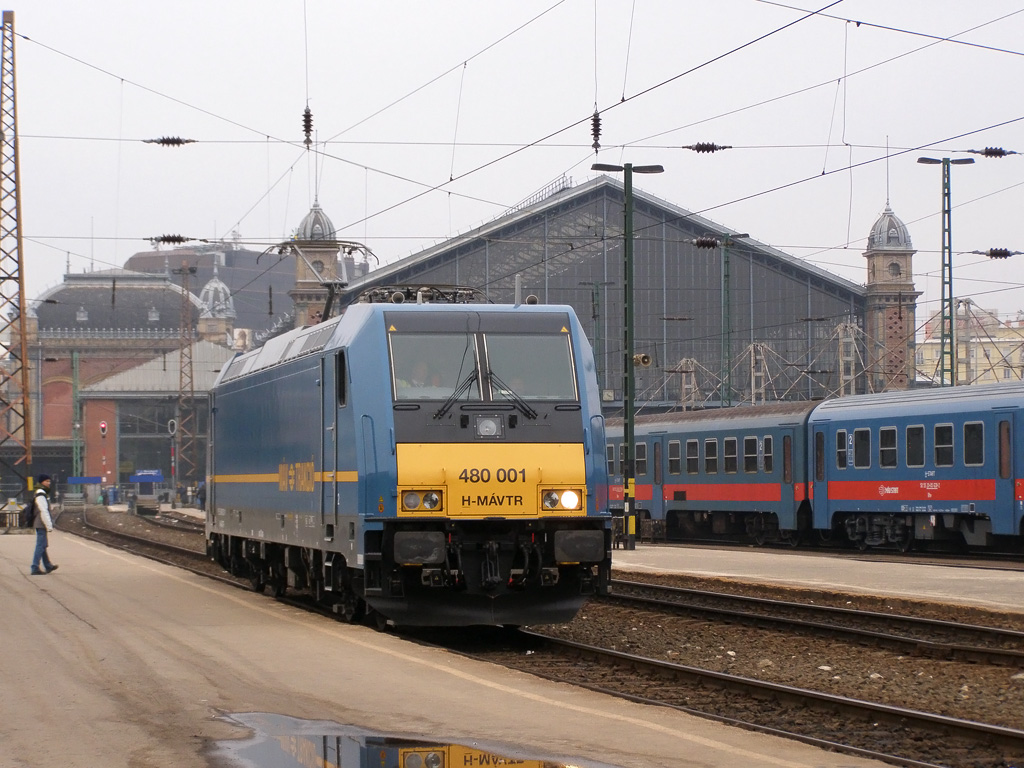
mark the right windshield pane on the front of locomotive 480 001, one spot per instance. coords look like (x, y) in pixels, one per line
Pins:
(533, 367)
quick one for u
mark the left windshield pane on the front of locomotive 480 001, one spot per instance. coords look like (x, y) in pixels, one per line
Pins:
(434, 366)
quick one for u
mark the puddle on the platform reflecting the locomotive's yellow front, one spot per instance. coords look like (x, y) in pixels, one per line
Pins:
(280, 742)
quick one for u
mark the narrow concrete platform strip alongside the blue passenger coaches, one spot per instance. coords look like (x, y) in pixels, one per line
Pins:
(985, 586)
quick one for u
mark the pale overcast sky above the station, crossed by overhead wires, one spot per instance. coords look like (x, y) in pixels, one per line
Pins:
(432, 118)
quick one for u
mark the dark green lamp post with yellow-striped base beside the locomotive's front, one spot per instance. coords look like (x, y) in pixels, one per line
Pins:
(629, 513)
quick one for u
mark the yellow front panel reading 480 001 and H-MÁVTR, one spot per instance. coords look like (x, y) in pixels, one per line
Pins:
(498, 480)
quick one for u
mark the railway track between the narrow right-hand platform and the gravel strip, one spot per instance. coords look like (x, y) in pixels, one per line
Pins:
(936, 639)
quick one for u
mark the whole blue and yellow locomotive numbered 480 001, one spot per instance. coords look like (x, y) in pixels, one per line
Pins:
(432, 463)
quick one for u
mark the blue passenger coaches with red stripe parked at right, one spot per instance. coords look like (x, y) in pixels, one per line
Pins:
(897, 470)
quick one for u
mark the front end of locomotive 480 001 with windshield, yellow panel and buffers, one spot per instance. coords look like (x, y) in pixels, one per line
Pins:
(494, 516)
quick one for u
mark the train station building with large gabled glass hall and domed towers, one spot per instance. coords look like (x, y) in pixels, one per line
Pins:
(723, 319)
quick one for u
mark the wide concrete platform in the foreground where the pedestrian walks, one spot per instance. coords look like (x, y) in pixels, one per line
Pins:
(132, 662)
